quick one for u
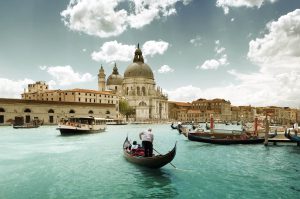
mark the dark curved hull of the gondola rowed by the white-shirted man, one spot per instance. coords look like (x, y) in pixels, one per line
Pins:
(153, 162)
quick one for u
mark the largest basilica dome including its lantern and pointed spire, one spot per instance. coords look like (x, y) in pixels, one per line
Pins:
(138, 68)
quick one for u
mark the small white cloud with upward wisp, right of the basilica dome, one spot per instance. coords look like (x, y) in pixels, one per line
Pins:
(220, 60)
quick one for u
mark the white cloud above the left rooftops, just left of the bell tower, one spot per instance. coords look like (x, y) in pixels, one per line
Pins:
(65, 75)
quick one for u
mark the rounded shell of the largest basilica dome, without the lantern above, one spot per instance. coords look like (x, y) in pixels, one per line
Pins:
(138, 69)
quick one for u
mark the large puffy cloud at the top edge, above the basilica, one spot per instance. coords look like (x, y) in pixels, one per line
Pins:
(106, 18)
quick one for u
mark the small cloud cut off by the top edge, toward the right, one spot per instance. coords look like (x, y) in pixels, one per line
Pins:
(226, 4)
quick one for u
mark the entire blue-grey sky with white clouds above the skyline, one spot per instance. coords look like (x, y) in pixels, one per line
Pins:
(244, 51)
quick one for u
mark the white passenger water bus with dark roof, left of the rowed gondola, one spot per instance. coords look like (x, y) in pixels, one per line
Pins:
(82, 125)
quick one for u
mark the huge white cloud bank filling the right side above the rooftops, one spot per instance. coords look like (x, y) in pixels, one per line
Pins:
(277, 80)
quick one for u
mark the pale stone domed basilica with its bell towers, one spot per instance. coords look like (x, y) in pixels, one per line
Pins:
(138, 87)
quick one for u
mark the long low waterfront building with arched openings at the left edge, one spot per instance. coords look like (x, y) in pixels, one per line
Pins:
(50, 112)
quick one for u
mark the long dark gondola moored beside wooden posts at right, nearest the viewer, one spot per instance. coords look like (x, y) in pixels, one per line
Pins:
(224, 140)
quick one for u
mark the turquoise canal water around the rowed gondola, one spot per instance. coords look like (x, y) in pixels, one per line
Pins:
(39, 163)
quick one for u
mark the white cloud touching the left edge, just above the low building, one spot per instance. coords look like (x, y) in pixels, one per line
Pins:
(13, 88)
